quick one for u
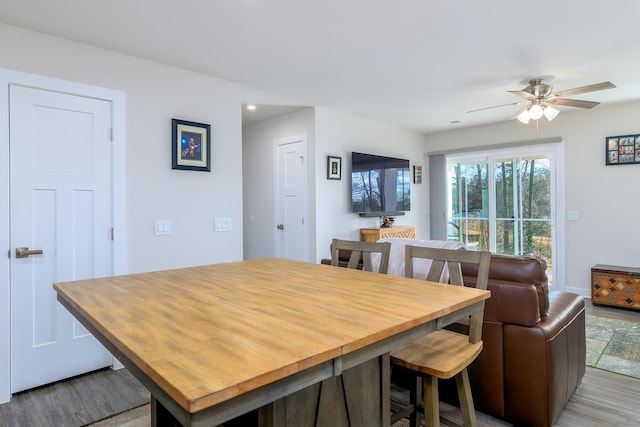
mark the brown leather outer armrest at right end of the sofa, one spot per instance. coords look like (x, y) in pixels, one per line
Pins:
(545, 363)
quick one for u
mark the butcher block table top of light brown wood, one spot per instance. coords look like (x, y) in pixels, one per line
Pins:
(207, 334)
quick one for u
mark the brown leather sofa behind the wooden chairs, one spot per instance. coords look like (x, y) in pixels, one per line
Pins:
(534, 350)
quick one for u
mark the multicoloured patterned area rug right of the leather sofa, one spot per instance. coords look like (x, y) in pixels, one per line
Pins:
(613, 345)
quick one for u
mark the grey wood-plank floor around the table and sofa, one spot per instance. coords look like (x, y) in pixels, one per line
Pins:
(602, 399)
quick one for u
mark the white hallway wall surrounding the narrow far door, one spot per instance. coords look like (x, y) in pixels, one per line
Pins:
(259, 179)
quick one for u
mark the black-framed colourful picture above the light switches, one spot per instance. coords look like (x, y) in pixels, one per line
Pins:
(191, 145)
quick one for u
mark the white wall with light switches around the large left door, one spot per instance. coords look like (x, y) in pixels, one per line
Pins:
(154, 95)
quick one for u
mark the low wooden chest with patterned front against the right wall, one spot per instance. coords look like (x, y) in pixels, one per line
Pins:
(615, 286)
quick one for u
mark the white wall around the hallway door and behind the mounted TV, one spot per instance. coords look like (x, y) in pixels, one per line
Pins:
(329, 133)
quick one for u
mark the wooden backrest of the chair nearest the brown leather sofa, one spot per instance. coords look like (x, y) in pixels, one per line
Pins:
(451, 259)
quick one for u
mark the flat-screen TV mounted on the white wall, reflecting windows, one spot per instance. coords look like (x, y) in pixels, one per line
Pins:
(380, 186)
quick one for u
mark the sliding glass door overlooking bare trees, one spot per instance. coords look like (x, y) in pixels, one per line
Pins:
(503, 201)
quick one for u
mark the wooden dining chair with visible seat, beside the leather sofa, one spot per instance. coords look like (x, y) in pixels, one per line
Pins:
(443, 354)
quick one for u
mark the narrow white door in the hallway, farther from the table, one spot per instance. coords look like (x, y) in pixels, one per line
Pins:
(292, 229)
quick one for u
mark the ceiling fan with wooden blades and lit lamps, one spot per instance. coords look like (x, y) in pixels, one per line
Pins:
(539, 97)
